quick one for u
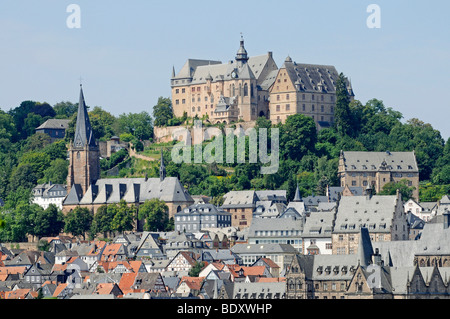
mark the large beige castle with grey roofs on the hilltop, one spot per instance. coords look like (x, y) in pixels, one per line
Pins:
(249, 87)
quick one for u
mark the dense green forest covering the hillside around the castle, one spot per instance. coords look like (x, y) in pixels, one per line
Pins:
(307, 157)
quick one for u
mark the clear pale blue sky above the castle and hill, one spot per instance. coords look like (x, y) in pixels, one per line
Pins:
(125, 50)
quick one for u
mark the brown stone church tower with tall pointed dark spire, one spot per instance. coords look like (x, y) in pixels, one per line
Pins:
(84, 153)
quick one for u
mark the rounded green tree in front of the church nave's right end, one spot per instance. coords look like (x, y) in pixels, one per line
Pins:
(154, 212)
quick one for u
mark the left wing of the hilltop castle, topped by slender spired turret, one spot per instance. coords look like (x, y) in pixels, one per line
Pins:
(224, 92)
